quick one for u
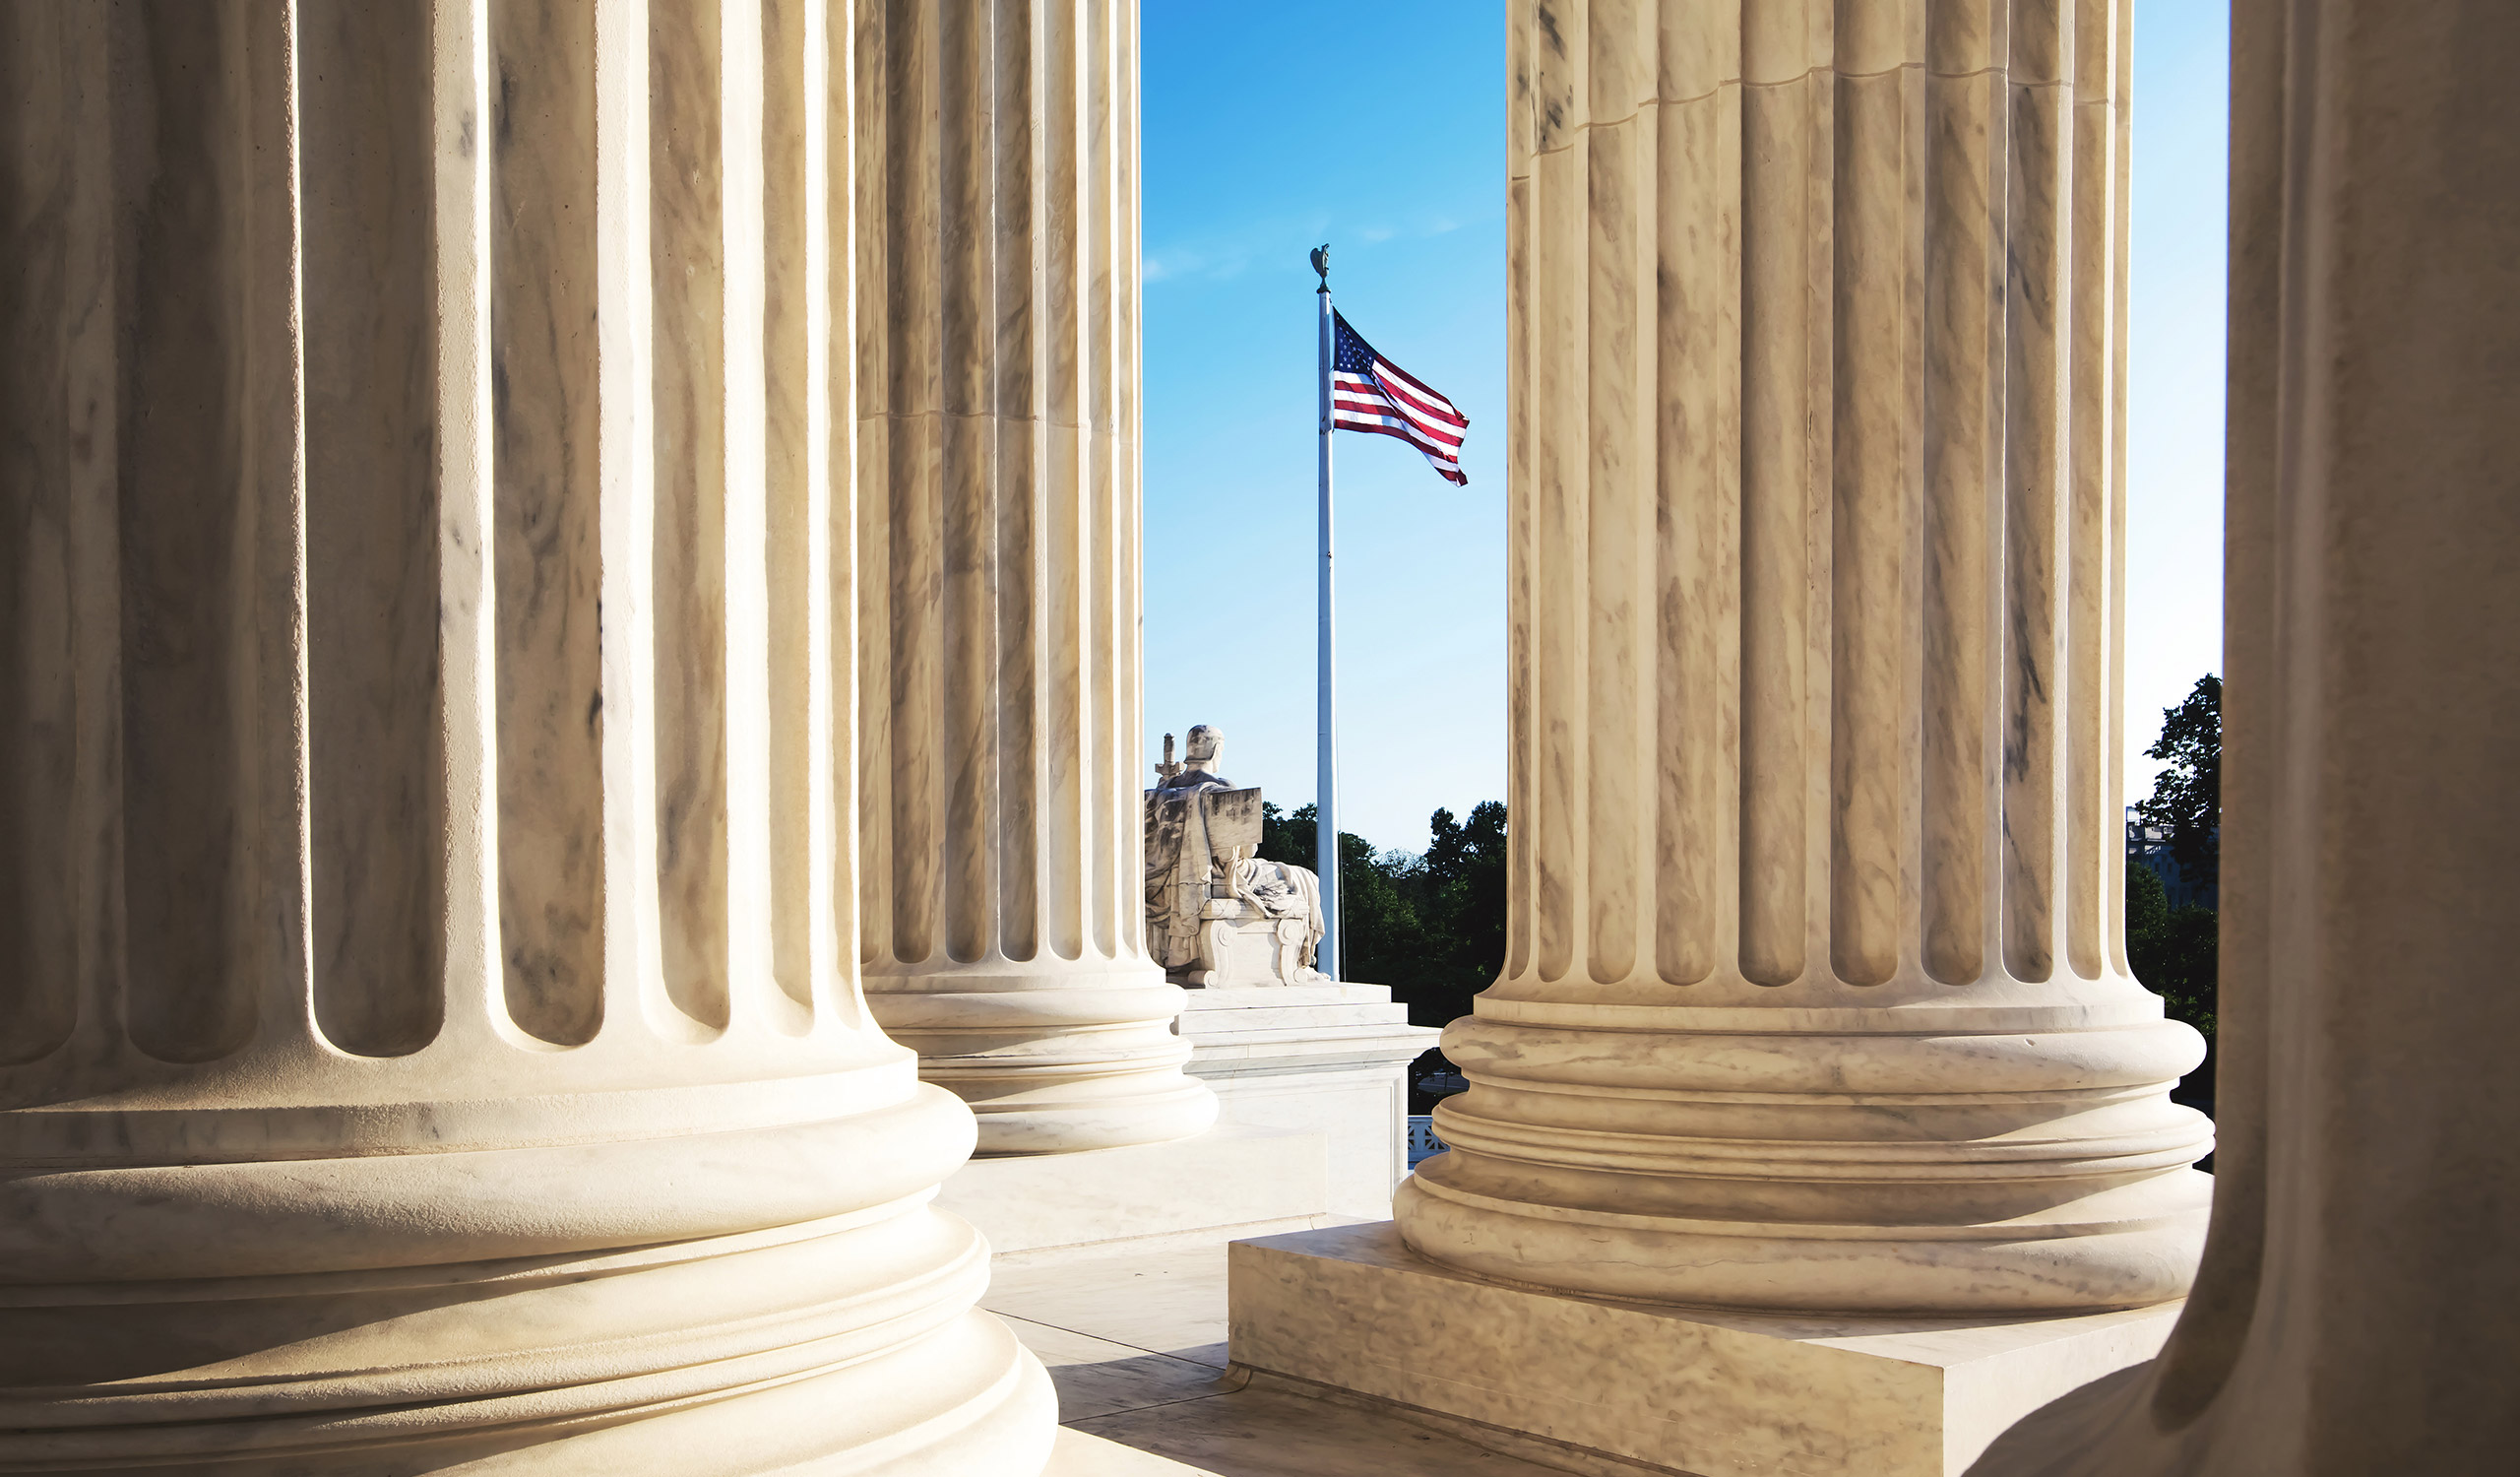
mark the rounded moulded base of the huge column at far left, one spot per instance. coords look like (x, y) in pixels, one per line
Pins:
(714, 1304)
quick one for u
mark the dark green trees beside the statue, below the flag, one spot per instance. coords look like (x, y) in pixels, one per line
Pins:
(1428, 924)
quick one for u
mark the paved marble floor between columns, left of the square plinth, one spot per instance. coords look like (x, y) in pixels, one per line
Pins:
(1138, 1350)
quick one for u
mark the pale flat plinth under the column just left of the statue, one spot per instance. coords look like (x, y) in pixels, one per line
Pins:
(1231, 1176)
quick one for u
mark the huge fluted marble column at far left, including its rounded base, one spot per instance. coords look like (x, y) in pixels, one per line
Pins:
(430, 1022)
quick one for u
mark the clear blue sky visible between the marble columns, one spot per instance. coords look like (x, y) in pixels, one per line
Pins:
(1382, 132)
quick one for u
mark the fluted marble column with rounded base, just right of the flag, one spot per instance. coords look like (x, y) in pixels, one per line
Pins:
(1816, 987)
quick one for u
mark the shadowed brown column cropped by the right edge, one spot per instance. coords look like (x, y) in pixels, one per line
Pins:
(2360, 1302)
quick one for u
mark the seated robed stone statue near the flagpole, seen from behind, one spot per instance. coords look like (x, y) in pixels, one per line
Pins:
(1216, 914)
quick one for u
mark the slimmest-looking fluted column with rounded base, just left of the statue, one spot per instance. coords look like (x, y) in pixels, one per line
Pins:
(1004, 924)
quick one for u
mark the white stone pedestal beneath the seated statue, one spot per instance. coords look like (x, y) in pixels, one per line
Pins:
(1322, 1060)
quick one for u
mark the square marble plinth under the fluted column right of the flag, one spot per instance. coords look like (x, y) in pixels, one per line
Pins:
(1667, 1390)
